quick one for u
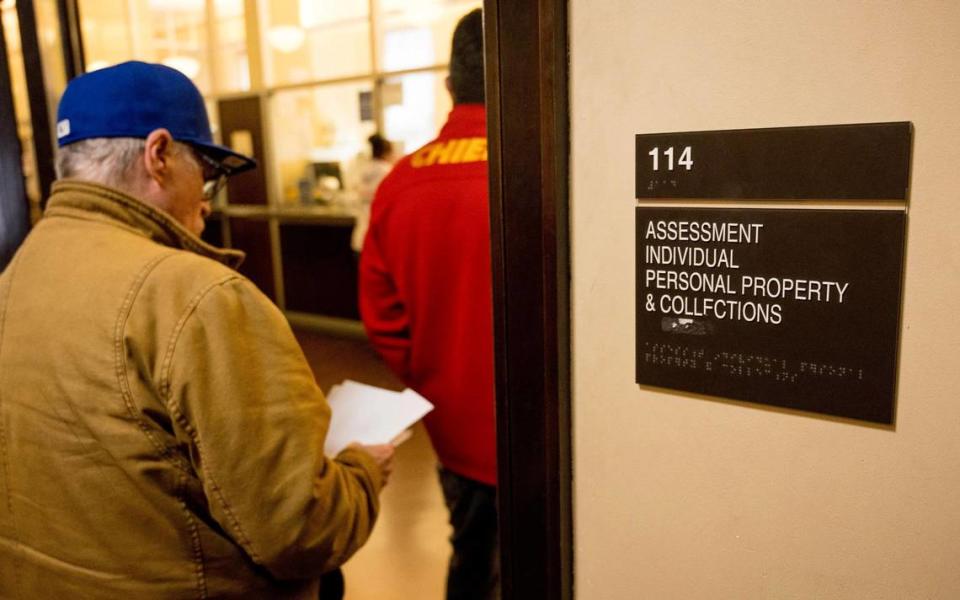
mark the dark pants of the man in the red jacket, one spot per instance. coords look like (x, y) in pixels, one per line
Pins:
(474, 572)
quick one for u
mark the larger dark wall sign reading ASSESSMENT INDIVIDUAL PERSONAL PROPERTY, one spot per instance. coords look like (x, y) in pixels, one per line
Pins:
(791, 308)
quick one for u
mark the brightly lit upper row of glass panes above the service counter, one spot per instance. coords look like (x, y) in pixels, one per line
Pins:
(301, 41)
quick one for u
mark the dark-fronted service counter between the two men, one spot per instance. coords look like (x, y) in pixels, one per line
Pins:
(299, 256)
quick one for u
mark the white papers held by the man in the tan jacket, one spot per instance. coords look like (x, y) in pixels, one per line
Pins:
(370, 415)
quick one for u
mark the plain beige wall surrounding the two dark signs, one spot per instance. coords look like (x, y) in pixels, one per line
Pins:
(680, 496)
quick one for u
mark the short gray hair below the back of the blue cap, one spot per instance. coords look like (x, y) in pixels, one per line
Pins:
(109, 161)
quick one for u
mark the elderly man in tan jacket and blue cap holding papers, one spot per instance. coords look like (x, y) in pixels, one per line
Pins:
(161, 435)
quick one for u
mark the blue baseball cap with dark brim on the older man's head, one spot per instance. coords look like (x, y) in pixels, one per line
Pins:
(132, 99)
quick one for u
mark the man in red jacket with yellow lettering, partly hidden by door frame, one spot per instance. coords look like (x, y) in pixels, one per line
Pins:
(426, 303)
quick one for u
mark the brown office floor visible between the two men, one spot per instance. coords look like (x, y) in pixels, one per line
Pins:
(406, 557)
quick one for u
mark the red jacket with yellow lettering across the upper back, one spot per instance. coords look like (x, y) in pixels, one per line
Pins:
(425, 288)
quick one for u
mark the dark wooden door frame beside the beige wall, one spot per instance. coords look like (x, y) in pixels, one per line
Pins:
(528, 130)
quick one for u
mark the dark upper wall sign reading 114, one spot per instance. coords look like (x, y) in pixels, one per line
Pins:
(852, 162)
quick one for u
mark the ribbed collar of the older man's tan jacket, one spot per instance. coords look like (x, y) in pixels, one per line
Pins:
(92, 200)
